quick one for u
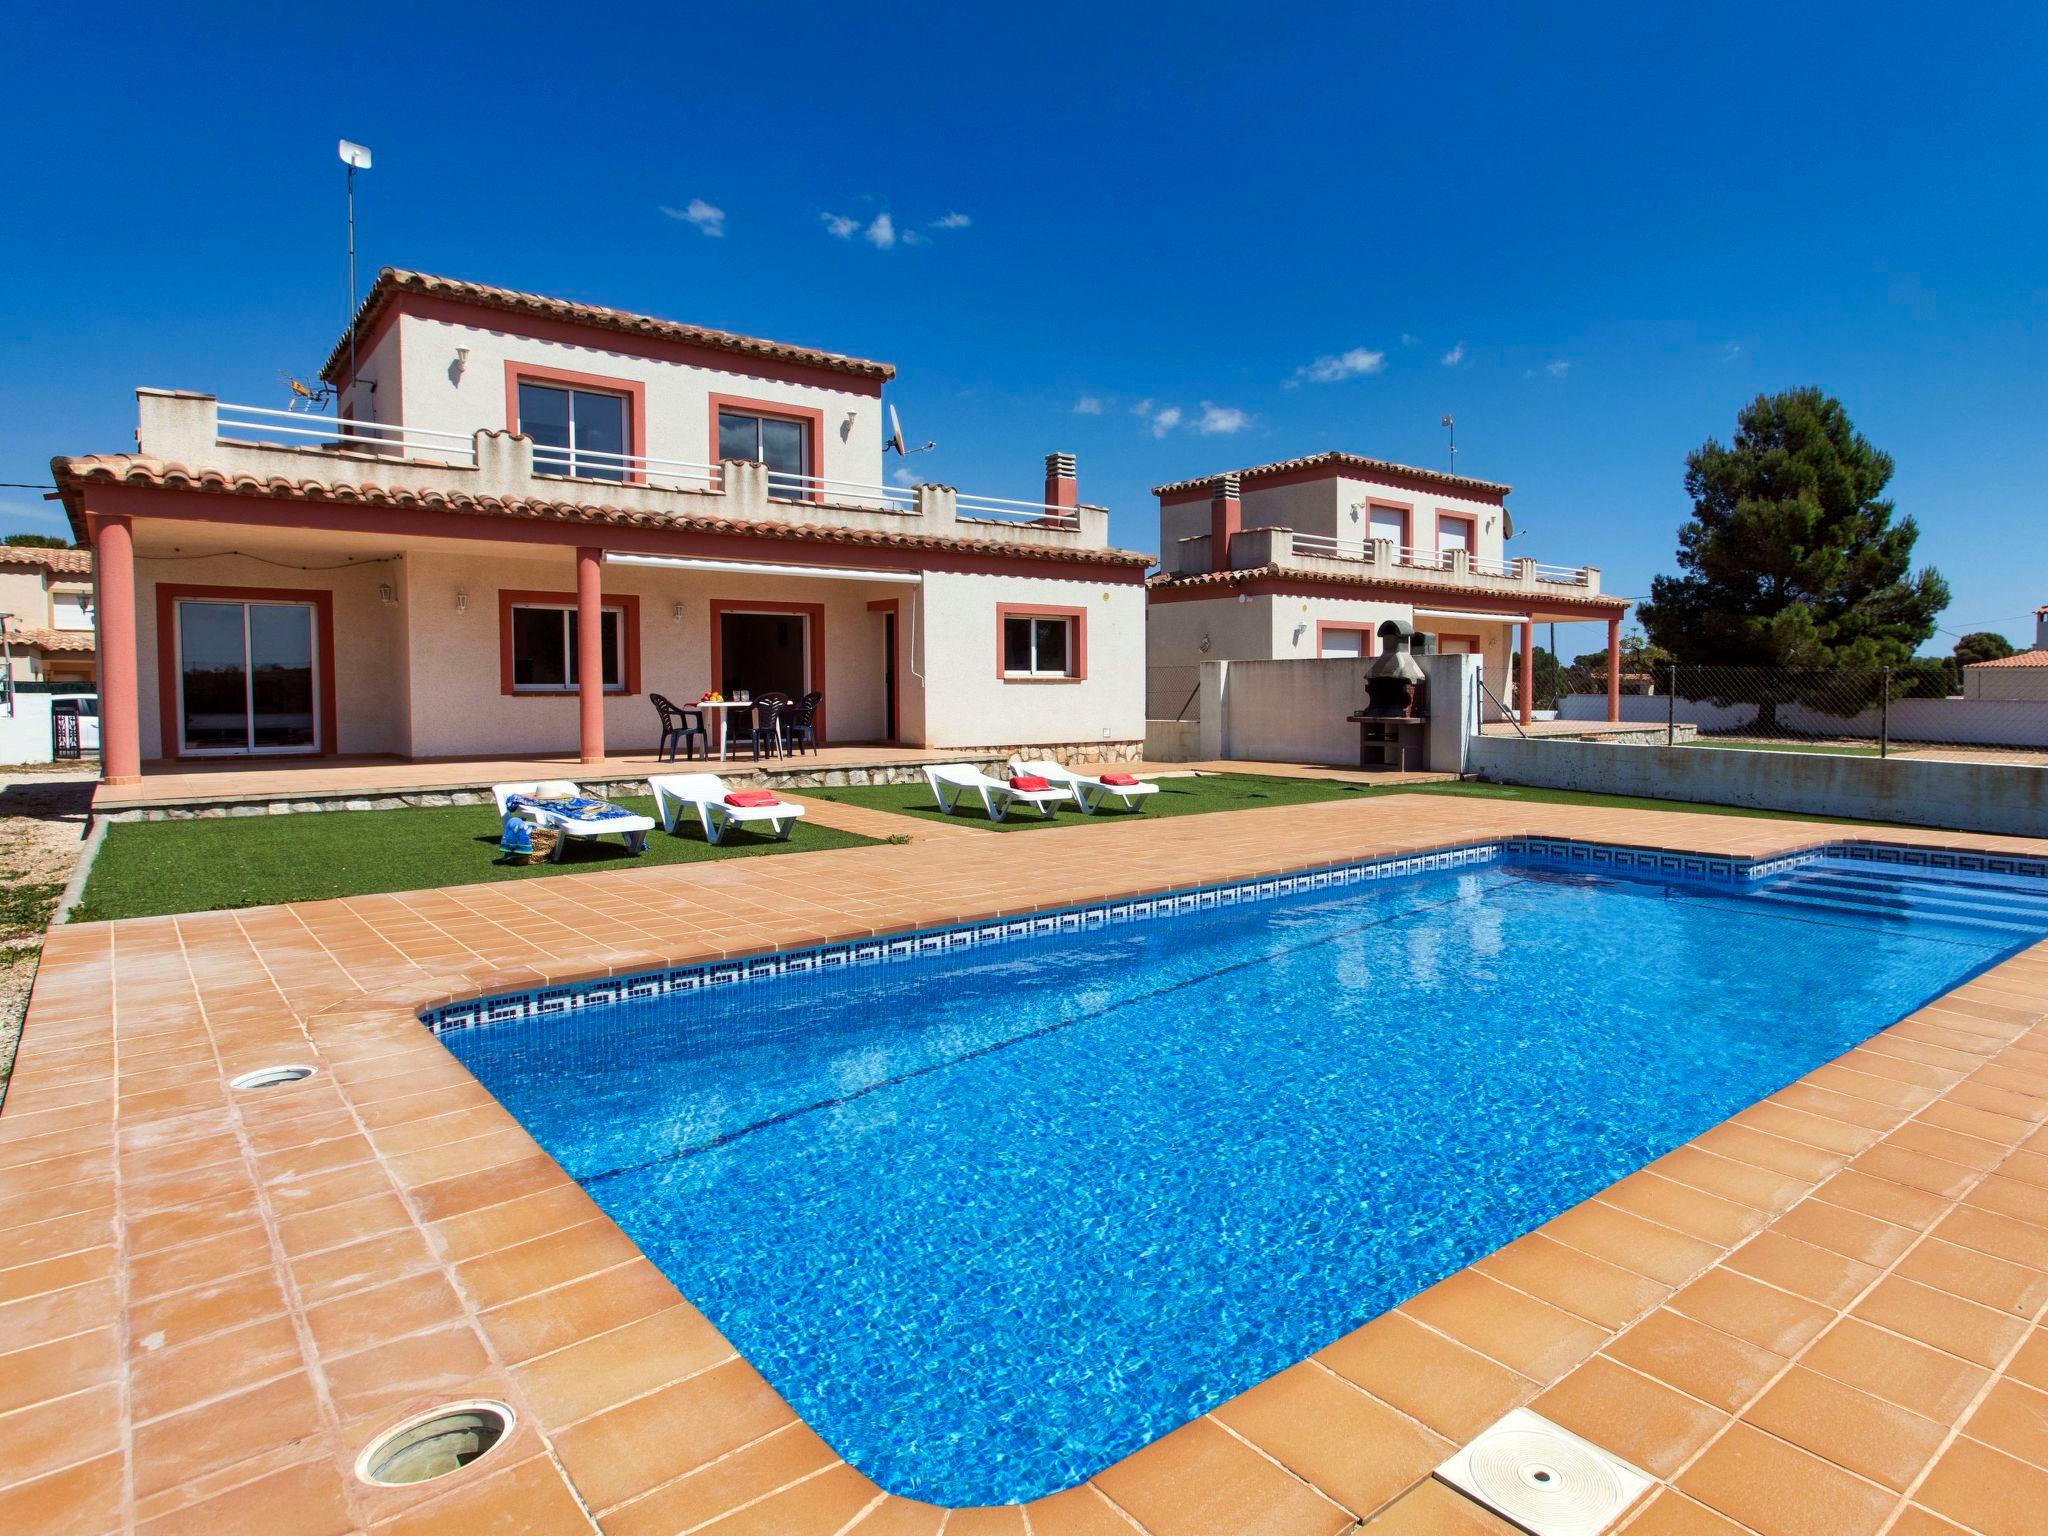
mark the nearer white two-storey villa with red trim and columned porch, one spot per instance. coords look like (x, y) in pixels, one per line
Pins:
(529, 515)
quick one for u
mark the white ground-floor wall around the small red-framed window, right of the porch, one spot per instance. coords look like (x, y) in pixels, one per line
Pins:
(970, 703)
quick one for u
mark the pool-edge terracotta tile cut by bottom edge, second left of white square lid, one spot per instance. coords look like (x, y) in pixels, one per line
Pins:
(1203, 1482)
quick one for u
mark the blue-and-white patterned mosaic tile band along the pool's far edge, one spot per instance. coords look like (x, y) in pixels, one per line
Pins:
(1560, 853)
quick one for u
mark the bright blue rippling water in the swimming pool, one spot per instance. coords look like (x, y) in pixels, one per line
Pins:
(996, 1218)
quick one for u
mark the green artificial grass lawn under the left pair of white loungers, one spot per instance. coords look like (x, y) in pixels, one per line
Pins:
(159, 867)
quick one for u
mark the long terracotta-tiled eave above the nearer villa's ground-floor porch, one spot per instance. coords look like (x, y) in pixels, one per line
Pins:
(136, 470)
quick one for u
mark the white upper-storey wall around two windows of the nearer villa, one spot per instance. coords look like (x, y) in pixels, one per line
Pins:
(679, 396)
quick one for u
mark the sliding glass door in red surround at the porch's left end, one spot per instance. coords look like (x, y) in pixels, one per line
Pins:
(247, 677)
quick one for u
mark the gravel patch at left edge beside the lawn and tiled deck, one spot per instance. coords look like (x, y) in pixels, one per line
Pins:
(42, 828)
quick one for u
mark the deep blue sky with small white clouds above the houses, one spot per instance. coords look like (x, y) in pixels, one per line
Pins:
(1588, 232)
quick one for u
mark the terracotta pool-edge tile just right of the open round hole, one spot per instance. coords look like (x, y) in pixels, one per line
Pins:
(675, 1431)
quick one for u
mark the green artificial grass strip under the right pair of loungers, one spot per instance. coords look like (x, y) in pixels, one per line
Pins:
(1197, 796)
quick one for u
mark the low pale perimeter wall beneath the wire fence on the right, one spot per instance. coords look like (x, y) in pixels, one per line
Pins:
(1963, 796)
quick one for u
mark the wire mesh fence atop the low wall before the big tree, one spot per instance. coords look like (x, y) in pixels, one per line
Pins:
(1922, 710)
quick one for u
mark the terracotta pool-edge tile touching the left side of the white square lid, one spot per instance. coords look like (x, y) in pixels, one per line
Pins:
(1334, 1437)
